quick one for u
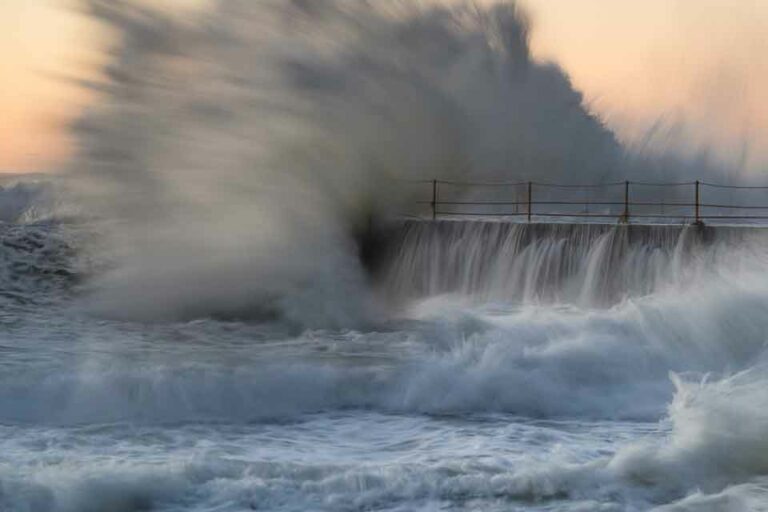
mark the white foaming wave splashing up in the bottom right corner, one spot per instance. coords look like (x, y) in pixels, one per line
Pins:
(712, 459)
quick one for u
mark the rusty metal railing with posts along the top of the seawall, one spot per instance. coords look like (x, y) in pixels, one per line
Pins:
(624, 201)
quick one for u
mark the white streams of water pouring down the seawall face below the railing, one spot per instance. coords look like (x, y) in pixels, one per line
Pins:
(585, 264)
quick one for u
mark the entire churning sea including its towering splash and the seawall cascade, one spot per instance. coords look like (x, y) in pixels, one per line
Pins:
(219, 306)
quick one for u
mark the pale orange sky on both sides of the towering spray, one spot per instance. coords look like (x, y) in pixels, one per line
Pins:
(696, 70)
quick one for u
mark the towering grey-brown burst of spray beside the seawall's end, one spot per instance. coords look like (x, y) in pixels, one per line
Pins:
(237, 153)
